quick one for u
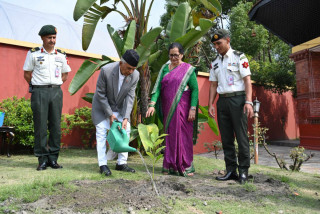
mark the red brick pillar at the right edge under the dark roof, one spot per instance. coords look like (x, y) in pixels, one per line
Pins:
(308, 97)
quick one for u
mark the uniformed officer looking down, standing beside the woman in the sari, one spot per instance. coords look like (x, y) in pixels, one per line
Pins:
(230, 78)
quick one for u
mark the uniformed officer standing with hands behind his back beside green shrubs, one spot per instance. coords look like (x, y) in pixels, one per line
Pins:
(46, 69)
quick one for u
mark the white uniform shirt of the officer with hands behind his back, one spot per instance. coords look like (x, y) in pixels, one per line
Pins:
(46, 67)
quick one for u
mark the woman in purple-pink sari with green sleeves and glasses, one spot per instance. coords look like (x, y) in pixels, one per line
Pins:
(176, 91)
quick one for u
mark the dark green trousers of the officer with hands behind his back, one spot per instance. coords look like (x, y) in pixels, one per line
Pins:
(46, 104)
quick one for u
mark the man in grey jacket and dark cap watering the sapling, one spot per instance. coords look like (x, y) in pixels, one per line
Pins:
(113, 100)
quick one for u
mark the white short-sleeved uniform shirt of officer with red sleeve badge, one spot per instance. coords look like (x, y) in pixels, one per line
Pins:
(230, 71)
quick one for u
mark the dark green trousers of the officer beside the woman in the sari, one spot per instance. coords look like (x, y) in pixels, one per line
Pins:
(233, 122)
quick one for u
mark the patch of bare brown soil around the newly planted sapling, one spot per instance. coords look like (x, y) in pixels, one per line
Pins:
(119, 196)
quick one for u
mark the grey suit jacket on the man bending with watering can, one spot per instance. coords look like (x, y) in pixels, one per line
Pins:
(106, 99)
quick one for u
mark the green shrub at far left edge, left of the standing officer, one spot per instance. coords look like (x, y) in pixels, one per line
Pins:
(18, 113)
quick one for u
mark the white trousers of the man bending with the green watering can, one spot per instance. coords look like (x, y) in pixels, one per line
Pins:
(101, 136)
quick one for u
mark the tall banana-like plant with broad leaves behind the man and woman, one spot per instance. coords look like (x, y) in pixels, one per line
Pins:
(152, 50)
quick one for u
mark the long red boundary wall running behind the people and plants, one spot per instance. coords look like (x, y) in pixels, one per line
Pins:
(278, 112)
